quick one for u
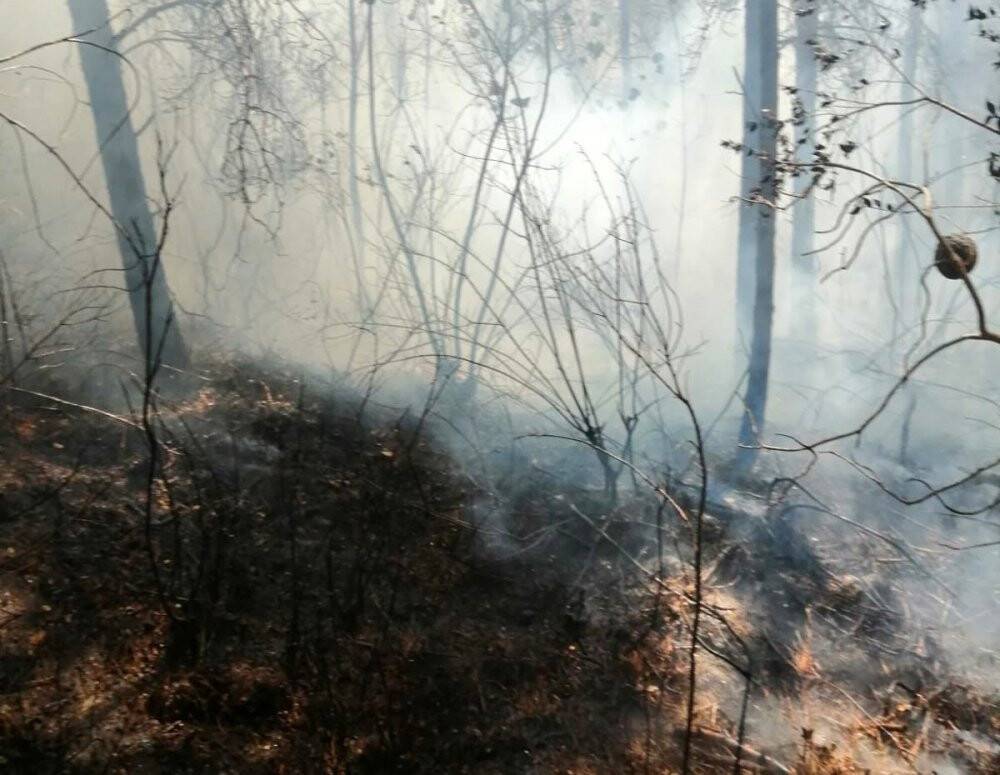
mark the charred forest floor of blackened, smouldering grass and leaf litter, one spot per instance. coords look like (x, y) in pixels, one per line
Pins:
(303, 582)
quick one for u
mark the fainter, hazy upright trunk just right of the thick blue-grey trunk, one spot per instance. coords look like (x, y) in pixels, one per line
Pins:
(805, 267)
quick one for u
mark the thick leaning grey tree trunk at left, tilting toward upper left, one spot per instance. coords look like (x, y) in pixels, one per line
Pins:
(145, 277)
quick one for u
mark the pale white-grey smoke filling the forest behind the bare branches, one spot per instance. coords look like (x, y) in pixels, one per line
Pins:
(399, 254)
